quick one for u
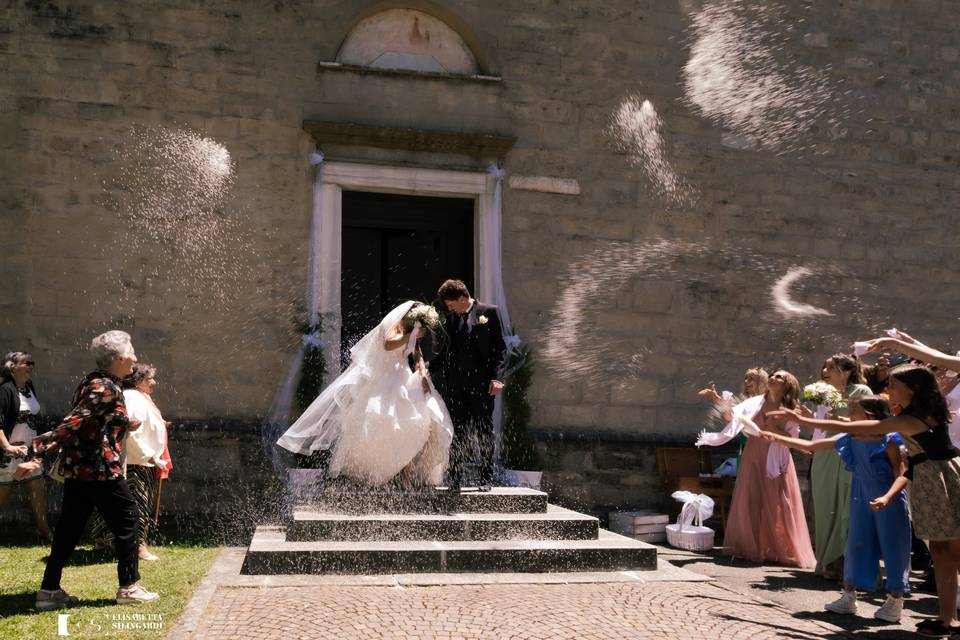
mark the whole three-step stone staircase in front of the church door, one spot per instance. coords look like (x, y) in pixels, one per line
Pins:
(354, 530)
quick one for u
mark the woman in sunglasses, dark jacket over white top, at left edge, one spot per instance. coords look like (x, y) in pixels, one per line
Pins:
(18, 409)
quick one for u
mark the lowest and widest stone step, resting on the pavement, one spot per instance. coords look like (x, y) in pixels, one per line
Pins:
(271, 554)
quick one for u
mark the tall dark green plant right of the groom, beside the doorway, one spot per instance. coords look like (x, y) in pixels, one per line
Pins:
(519, 450)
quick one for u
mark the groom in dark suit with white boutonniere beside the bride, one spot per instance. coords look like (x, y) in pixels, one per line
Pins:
(469, 371)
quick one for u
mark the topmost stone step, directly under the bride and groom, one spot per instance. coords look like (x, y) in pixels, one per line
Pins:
(358, 500)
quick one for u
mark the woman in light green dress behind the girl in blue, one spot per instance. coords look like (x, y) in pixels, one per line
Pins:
(829, 479)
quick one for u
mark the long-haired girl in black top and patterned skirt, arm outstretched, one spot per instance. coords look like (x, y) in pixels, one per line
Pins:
(933, 472)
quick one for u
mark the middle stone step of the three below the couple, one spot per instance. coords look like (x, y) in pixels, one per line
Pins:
(557, 523)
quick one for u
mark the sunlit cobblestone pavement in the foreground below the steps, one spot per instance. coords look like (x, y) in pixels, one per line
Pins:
(687, 610)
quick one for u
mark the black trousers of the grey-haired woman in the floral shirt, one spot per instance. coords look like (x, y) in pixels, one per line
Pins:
(113, 500)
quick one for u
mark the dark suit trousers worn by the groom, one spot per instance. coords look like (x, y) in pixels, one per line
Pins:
(471, 410)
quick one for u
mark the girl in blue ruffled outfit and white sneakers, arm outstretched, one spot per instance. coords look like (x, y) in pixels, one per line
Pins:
(876, 530)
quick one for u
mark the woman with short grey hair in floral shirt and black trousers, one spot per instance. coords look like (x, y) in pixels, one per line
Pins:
(89, 444)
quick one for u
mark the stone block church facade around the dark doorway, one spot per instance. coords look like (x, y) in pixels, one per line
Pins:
(417, 99)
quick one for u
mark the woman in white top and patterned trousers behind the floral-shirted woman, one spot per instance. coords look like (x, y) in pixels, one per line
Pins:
(144, 456)
